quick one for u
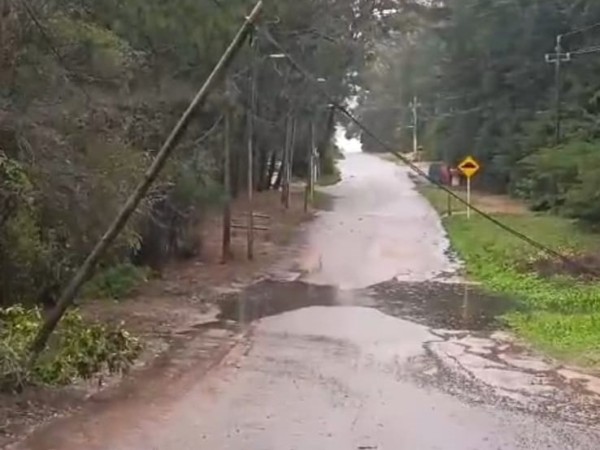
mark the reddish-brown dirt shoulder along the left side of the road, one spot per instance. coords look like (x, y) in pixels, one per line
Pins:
(171, 312)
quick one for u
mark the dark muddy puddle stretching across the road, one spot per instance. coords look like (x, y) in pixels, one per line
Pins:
(434, 304)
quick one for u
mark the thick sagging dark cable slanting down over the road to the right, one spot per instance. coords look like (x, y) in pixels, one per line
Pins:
(416, 169)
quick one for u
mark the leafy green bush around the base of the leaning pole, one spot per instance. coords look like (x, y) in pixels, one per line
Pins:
(77, 350)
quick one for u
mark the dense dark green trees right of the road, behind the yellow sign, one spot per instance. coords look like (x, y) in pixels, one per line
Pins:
(478, 69)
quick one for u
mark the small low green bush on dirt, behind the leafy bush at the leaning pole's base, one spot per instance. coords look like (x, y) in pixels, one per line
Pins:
(116, 282)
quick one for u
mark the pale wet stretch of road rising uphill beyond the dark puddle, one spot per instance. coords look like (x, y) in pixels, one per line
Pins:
(381, 228)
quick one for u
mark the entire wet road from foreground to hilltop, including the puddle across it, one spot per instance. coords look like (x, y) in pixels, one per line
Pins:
(374, 344)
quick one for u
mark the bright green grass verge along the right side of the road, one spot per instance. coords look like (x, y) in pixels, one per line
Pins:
(560, 315)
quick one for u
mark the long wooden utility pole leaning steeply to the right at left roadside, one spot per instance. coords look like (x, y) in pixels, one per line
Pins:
(88, 266)
